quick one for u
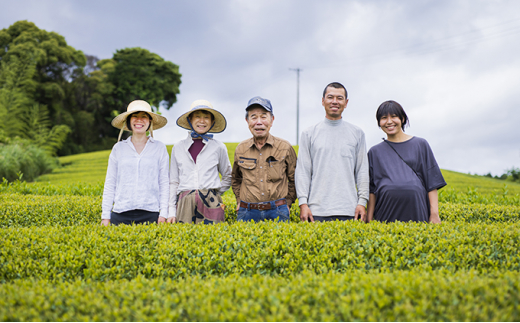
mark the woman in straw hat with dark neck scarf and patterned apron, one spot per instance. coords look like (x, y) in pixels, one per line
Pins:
(195, 186)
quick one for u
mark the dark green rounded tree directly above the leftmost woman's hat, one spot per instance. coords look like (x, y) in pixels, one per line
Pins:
(135, 73)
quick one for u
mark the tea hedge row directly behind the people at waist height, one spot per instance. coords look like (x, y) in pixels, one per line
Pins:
(18, 210)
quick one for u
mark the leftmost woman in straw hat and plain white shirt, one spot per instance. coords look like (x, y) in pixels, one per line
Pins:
(136, 185)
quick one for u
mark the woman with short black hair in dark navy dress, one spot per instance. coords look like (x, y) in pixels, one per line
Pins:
(404, 176)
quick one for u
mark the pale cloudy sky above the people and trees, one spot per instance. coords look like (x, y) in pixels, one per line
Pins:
(453, 65)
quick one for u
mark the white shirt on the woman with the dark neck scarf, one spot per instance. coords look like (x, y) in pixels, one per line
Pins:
(185, 174)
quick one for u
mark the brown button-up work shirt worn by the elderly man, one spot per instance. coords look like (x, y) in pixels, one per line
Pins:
(266, 174)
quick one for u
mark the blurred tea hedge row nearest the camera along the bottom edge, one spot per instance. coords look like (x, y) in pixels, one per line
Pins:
(354, 296)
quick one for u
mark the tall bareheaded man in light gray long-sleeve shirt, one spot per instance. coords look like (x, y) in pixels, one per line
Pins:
(332, 168)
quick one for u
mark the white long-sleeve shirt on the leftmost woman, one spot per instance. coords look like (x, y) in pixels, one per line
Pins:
(137, 181)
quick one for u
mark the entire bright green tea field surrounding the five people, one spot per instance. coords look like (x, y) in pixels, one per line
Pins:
(57, 263)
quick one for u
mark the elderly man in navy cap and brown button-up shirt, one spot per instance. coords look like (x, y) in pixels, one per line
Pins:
(263, 170)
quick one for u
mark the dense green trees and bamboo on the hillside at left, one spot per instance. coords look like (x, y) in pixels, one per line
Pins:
(55, 100)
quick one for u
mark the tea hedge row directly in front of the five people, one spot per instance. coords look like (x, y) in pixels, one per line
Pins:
(125, 252)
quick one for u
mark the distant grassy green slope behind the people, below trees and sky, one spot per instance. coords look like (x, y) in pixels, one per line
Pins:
(91, 168)
